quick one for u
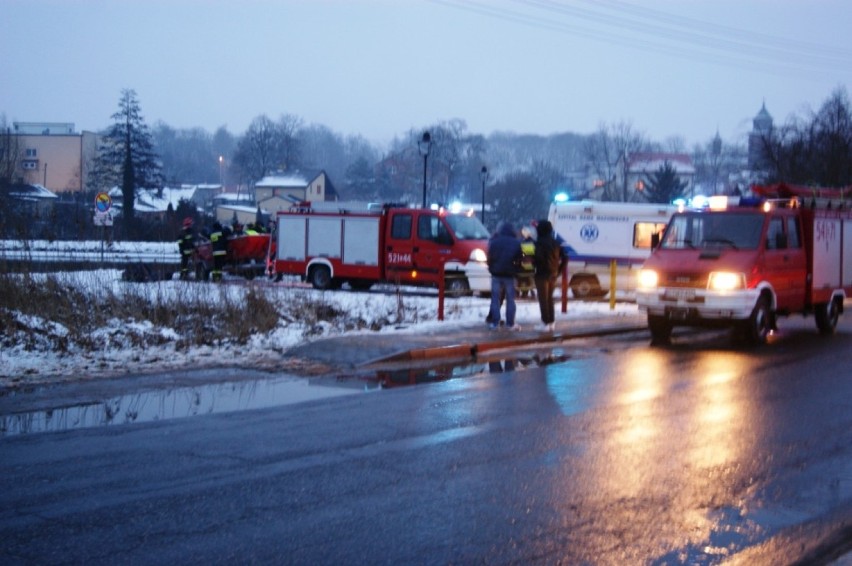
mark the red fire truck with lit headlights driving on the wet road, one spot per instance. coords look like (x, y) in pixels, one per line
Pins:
(743, 262)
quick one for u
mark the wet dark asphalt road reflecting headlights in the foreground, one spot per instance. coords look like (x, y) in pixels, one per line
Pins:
(622, 454)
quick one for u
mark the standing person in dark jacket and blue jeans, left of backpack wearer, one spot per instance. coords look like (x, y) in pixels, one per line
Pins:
(504, 257)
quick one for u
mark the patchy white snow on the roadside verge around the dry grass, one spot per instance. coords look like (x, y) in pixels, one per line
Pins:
(44, 353)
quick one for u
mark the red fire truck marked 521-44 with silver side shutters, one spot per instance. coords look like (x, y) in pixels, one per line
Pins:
(331, 243)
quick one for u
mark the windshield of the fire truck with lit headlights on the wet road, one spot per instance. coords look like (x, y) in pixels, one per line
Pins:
(691, 230)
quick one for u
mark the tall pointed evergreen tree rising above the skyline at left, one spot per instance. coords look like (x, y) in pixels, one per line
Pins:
(127, 157)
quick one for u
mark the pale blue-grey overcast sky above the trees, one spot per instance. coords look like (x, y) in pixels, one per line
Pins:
(380, 68)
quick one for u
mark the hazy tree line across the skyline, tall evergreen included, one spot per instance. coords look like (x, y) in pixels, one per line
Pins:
(524, 171)
